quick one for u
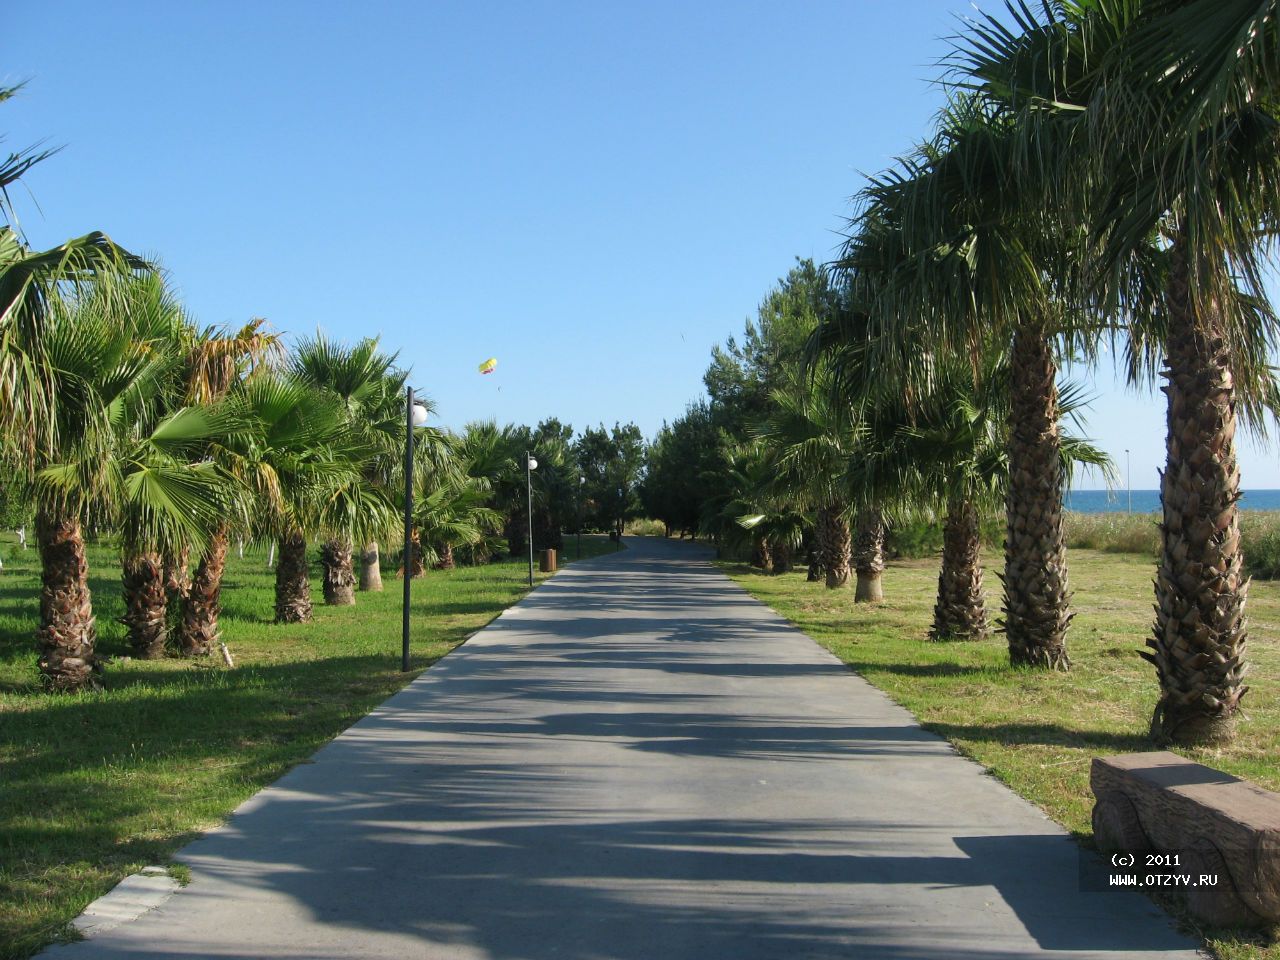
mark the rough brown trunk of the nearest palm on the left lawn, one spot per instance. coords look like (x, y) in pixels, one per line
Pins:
(67, 630)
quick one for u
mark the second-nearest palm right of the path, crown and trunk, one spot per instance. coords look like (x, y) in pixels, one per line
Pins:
(952, 253)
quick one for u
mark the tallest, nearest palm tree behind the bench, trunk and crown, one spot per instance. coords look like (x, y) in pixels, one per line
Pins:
(1205, 177)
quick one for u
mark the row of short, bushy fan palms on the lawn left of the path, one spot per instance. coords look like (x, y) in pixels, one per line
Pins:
(181, 440)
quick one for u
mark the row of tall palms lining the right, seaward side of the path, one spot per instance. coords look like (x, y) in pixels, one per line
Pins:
(1105, 175)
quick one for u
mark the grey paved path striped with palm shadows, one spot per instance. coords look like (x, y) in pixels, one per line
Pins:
(639, 762)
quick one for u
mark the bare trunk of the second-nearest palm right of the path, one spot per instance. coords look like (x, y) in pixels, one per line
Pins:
(1037, 600)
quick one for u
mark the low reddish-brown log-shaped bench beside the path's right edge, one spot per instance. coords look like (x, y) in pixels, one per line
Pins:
(1215, 824)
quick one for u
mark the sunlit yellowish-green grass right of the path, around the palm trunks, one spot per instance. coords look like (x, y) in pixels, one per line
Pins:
(1039, 732)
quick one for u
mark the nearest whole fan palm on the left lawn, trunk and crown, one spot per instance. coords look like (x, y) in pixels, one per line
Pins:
(106, 365)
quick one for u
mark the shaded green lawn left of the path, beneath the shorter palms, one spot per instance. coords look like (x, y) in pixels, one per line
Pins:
(95, 787)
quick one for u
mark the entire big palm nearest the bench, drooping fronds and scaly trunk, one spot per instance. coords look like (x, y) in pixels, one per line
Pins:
(1174, 120)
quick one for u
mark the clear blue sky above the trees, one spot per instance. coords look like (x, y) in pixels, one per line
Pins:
(595, 194)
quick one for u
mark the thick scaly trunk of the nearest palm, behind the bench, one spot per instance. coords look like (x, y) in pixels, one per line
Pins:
(1200, 632)
